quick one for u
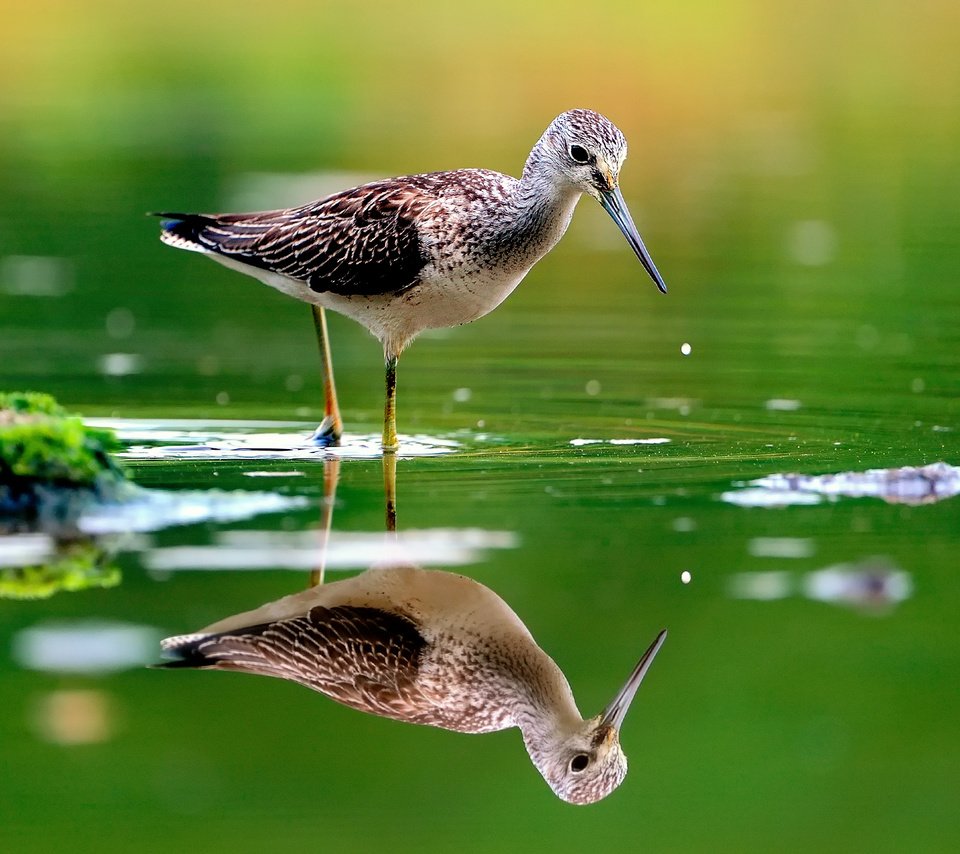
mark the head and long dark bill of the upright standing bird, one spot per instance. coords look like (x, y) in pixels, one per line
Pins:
(587, 150)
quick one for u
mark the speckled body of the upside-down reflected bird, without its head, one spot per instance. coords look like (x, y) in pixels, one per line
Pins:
(385, 660)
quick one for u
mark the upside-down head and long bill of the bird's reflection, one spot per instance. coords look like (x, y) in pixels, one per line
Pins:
(588, 764)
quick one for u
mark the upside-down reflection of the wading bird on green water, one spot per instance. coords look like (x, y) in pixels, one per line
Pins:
(426, 647)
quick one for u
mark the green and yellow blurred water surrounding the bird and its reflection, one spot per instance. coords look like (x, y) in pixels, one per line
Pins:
(797, 188)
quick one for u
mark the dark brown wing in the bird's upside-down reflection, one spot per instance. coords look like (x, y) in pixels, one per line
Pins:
(365, 658)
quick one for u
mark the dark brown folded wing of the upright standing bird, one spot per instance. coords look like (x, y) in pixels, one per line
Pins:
(363, 241)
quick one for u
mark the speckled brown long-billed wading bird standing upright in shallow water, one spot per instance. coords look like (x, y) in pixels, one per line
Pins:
(419, 252)
